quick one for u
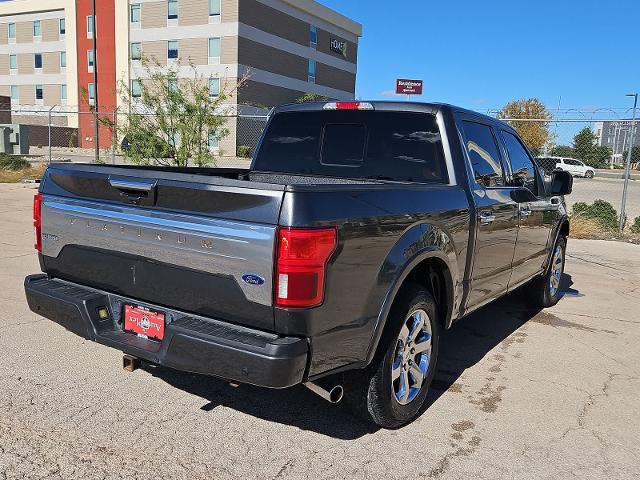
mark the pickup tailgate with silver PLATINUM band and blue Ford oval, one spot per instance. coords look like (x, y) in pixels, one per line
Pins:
(200, 244)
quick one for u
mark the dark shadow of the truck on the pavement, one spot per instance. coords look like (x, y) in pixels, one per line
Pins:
(467, 343)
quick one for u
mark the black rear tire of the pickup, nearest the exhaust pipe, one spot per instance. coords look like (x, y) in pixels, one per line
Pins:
(373, 394)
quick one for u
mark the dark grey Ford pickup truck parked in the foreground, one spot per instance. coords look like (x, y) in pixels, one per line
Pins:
(361, 232)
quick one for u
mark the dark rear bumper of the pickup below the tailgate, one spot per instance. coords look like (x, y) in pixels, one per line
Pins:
(191, 343)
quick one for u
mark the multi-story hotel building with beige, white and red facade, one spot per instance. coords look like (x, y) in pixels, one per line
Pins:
(286, 48)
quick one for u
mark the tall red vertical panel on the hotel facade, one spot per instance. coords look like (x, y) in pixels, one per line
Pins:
(106, 68)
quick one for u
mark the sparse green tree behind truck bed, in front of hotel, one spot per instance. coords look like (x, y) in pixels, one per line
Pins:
(171, 120)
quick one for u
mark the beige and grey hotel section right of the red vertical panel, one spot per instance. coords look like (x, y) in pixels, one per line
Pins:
(283, 49)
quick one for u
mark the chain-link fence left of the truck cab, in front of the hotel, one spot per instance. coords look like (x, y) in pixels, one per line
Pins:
(59, 134)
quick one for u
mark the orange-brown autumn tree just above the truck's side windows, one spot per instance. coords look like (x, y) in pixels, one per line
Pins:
(535, 134)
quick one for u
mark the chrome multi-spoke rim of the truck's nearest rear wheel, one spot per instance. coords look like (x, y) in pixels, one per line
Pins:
(411, 357)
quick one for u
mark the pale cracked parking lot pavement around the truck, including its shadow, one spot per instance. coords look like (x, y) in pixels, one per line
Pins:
(519, 394)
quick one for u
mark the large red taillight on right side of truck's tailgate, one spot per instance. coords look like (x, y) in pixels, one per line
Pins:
(302, 256)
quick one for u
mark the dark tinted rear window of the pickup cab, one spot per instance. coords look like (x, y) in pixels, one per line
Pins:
(396, 146)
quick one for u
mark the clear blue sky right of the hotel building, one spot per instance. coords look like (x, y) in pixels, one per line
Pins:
(481, 55)
